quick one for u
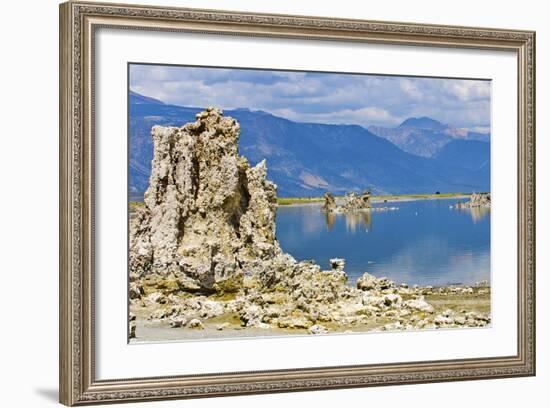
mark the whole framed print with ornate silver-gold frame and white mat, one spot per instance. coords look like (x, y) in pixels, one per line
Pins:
(260, 203)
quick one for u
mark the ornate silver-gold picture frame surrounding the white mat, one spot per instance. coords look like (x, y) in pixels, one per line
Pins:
(78, 21)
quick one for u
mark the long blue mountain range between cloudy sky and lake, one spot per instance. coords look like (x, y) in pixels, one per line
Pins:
(308, 159)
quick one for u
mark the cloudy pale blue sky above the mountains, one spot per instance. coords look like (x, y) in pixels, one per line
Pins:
(320, 97)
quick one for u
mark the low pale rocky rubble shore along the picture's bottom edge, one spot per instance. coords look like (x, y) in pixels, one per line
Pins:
(375, 304)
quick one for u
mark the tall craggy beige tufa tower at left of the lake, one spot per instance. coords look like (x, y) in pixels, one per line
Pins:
(207, 212)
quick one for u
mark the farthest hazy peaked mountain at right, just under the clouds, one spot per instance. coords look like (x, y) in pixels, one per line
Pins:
(425, 136)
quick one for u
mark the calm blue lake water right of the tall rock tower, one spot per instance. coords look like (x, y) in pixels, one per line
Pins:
(424, 242)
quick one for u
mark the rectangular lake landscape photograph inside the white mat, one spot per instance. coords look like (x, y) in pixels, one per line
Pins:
(267, 203)
